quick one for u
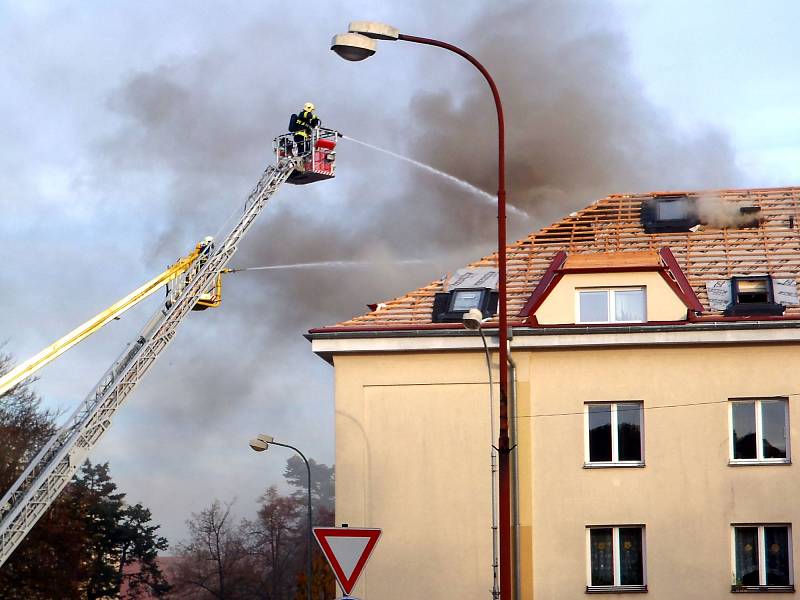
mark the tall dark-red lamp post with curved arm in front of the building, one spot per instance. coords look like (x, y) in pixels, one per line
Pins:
(360, 43)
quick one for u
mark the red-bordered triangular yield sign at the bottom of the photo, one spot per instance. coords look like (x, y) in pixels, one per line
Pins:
(347, 550)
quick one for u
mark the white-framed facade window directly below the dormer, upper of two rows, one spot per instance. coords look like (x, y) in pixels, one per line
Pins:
(614, 434)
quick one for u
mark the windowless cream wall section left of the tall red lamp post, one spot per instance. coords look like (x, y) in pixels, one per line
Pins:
(413, 458)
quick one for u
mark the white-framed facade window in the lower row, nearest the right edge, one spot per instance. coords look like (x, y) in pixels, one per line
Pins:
(762, 558)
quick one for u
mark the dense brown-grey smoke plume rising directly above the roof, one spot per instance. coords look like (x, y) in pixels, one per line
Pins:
(578, 123)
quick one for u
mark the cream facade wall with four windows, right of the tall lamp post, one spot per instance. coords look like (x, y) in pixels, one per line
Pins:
(687, 496)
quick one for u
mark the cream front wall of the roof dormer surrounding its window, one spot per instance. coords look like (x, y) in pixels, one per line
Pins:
(560, 305)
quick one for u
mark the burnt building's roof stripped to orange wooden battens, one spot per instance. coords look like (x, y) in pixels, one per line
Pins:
(613, 224)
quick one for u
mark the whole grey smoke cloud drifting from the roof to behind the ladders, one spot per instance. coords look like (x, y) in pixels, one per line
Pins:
(197, 132)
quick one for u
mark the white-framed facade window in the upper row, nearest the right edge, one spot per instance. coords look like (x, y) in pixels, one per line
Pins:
(760, 431)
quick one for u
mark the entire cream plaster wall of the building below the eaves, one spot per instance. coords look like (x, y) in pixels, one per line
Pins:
(412, 457)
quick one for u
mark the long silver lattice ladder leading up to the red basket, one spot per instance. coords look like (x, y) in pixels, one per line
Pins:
(52, 468)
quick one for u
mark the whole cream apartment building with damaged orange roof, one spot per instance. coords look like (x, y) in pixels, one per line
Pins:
(656, 340)
